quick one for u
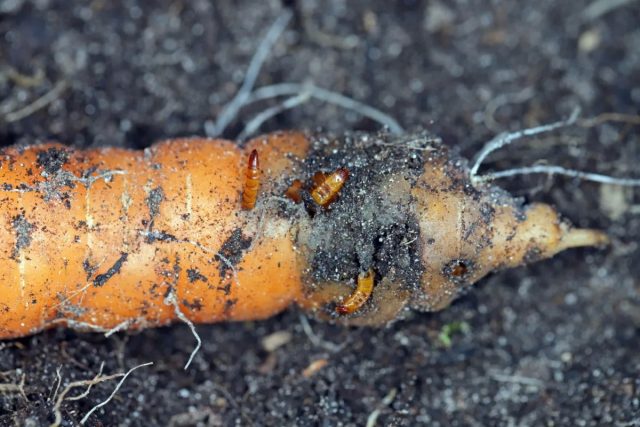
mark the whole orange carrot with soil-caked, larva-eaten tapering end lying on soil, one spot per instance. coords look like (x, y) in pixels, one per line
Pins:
(110, 238)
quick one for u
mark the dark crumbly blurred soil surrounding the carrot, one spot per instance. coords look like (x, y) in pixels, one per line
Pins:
(556, 343)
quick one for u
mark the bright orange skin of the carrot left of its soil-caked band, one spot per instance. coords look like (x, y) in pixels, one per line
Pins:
(102, 251)
